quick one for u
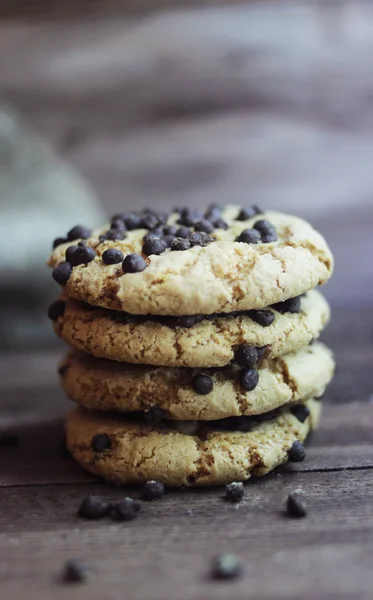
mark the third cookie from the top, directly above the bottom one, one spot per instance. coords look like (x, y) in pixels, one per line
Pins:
(110, 386)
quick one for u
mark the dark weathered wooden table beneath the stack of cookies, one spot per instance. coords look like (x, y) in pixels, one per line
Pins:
(166, 552)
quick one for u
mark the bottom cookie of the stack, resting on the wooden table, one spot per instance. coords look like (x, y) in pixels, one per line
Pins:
(134, 452)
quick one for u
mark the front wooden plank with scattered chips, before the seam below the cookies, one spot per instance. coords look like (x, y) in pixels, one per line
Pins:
(166, 552)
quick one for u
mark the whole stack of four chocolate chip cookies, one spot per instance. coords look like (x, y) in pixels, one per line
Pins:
(193, 355)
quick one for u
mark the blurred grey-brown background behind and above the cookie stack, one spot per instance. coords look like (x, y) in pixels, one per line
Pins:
(106, 106)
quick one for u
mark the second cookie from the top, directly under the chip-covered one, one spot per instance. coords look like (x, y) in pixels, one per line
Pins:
(209, 343)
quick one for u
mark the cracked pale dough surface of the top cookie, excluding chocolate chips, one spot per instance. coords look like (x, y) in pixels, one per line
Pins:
(223, 276)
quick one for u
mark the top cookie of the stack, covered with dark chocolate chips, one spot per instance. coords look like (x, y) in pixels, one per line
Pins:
(188, 262)
